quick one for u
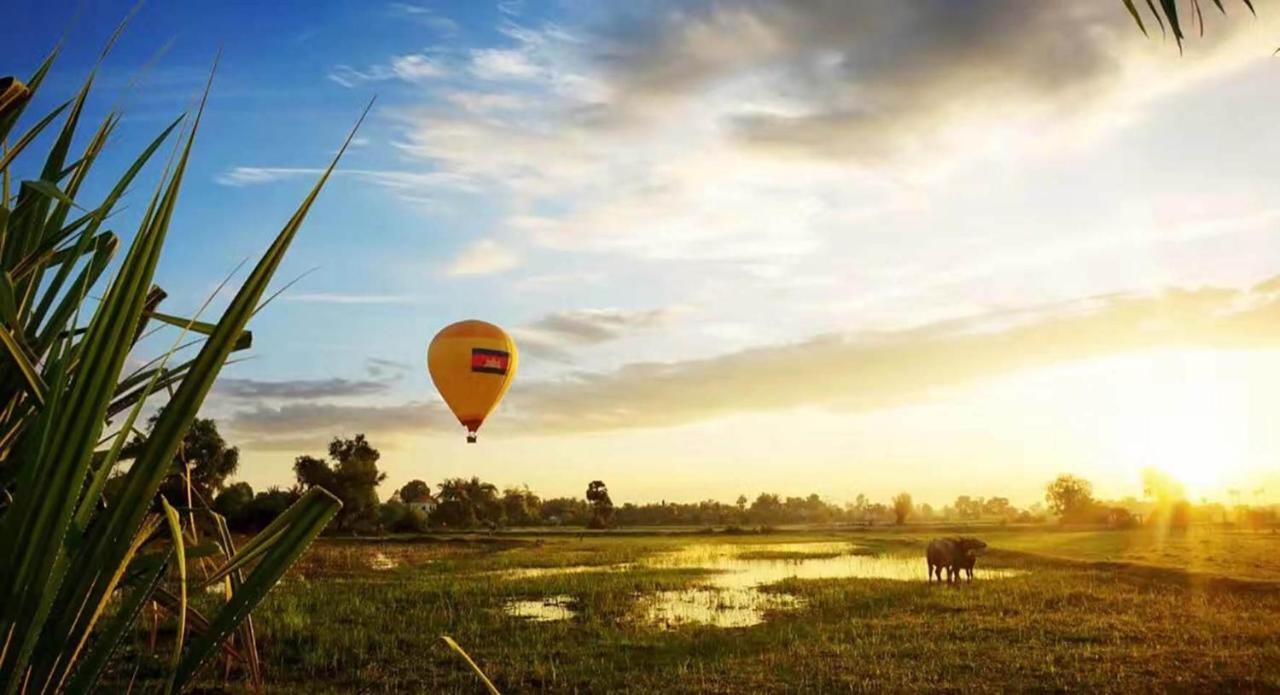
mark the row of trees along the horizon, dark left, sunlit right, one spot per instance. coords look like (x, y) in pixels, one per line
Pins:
(205, 463)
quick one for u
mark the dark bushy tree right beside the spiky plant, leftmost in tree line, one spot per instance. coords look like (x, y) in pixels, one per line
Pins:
(203, 456)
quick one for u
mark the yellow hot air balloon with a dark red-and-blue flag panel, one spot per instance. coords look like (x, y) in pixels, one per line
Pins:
(472, 364)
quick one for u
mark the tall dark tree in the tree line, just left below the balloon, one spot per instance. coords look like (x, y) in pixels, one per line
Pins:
(353, 475)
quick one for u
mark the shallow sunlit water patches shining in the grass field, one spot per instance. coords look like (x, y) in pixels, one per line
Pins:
(732, 595)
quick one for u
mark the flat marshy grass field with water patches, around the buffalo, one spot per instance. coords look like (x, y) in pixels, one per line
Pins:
(1104, 611)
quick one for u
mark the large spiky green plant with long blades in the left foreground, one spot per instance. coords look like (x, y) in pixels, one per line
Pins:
(76, 570)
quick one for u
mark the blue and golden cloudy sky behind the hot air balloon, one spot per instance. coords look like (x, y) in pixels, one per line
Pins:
(811, 246)
